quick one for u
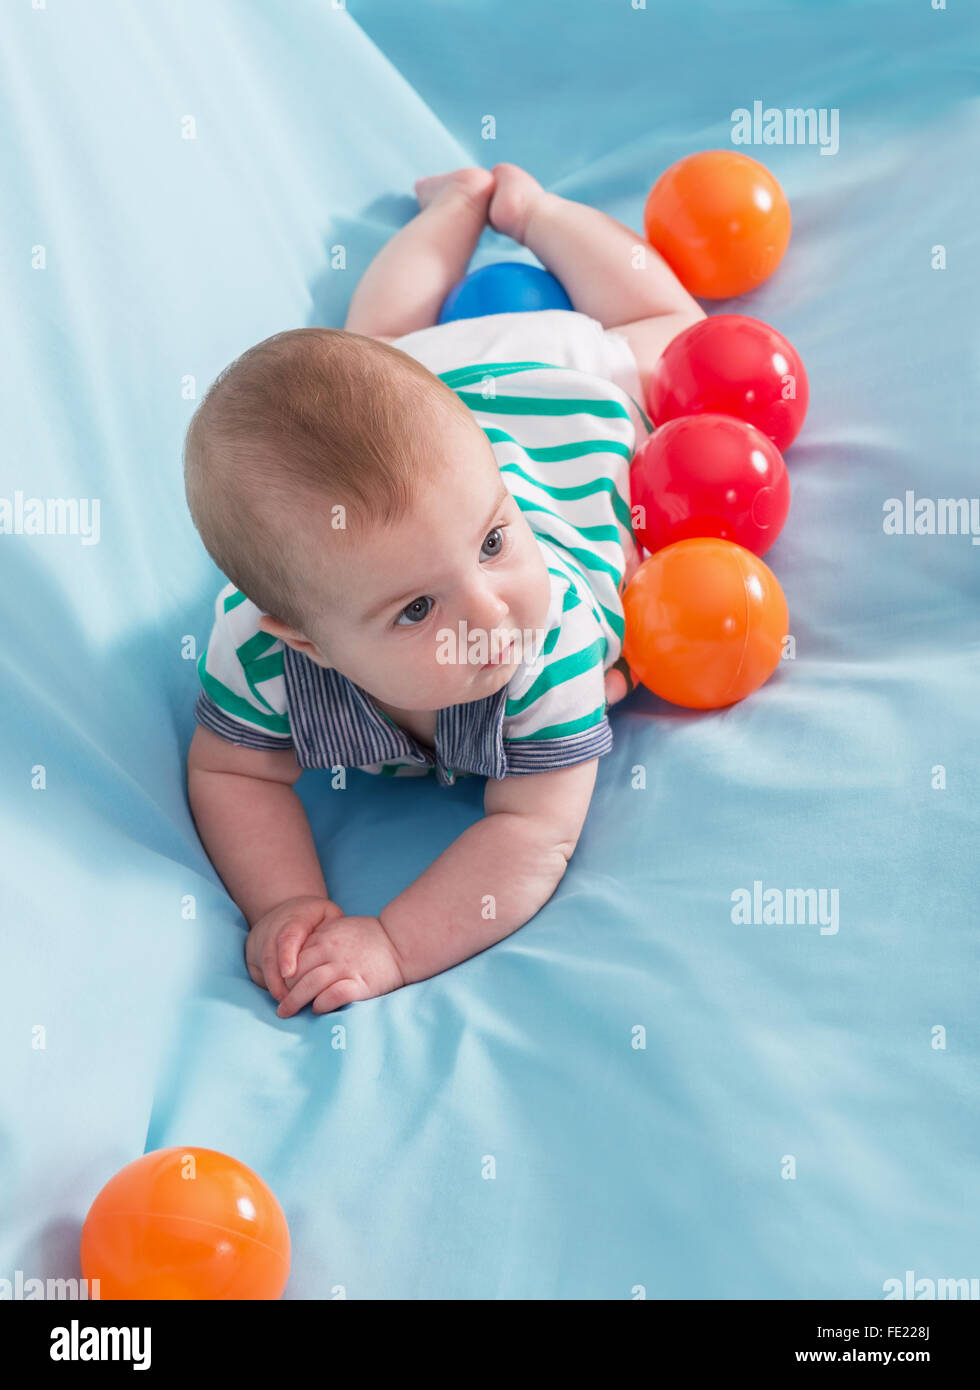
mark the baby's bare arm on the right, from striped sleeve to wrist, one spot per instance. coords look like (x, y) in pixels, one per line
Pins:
(500, 872)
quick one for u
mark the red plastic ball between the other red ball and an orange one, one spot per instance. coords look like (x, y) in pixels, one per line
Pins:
(710, 476)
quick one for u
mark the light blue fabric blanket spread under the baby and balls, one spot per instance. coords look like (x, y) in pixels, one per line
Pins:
(640, 1093)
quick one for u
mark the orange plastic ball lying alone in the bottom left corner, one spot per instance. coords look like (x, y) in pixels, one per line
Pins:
(187, 1224)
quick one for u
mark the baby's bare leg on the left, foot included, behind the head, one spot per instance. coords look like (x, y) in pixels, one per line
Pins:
(408, 281)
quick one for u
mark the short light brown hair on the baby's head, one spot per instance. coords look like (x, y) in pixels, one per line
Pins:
(309, 416)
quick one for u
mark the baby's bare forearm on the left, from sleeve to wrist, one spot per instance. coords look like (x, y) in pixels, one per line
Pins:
(252, 824)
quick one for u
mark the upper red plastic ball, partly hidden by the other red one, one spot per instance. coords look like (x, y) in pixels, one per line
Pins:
(735, 366)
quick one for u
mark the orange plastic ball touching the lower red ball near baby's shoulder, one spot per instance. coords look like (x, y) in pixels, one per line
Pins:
(705, 622)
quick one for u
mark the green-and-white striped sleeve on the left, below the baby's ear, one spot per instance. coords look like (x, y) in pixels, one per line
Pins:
(244, 690)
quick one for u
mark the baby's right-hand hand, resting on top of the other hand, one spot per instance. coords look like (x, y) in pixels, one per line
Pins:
(345, 960)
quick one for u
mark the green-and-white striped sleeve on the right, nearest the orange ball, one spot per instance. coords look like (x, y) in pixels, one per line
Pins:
(557, 708)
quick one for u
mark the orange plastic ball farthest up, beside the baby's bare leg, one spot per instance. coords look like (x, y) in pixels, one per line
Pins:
(721, 220)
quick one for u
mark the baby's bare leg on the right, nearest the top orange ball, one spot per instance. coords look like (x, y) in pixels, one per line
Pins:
(610, 272)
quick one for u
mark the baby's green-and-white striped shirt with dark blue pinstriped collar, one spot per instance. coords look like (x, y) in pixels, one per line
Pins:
(557, 398)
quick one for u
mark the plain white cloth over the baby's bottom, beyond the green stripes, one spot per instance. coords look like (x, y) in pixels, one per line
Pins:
(560, 337)
